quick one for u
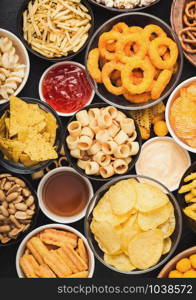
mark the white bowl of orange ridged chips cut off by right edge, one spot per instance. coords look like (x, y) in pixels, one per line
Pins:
(180, 114)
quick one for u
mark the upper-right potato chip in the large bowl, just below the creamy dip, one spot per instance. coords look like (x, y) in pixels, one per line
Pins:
(149, 198)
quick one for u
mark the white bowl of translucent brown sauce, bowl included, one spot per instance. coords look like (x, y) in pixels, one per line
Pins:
(63, 195)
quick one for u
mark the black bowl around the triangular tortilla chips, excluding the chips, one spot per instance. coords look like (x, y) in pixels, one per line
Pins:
(20, 168)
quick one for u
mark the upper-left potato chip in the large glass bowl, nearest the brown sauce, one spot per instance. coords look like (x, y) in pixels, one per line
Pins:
(122, 197)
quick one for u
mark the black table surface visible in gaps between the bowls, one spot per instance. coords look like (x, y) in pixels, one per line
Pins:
(8, 20)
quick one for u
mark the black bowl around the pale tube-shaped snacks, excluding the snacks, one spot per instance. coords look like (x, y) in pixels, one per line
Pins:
(73, 160)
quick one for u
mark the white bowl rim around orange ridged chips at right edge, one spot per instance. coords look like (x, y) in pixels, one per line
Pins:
(171, 99)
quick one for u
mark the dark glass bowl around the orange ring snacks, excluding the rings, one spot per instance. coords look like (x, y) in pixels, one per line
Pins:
(136, 19)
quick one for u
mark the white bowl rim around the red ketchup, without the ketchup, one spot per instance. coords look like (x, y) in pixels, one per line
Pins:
(43, 76)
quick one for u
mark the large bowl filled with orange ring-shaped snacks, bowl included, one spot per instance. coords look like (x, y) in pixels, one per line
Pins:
(126, 67)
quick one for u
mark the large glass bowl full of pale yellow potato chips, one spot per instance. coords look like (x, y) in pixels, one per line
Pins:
(132, 226)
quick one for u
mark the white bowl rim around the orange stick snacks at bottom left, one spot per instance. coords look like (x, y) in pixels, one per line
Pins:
(22, 247)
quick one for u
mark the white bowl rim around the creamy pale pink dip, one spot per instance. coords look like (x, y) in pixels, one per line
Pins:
(175, 187)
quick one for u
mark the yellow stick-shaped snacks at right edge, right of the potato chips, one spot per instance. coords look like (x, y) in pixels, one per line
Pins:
(189, 189)
